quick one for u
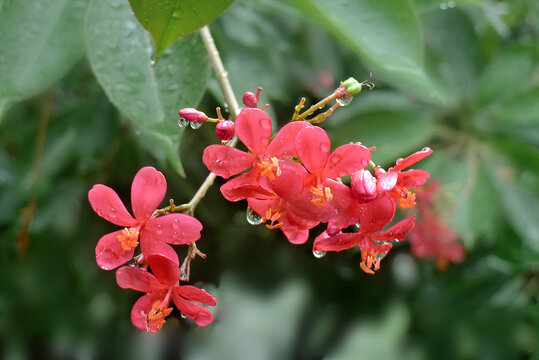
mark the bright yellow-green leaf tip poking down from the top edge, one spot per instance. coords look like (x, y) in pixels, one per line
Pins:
(169, 20)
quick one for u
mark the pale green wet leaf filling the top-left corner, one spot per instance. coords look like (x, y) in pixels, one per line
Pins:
(41, 40)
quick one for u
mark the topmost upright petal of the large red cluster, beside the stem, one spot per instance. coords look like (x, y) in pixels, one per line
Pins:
(253, 127)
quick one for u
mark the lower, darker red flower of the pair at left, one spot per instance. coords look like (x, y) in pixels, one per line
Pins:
(150, 311)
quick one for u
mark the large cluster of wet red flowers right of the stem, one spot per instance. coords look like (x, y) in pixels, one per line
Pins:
(293, 182)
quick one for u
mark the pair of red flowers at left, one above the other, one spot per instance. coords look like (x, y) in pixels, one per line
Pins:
(154, 233)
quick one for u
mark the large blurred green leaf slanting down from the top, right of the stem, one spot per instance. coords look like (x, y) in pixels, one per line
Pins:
(384, 33)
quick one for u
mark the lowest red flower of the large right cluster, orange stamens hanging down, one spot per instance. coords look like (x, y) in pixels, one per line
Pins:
(374, 245)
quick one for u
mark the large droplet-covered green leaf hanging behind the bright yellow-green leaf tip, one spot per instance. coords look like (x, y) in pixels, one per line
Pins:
(120, 54)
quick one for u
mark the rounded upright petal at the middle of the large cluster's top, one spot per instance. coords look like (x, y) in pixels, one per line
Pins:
(313, 146)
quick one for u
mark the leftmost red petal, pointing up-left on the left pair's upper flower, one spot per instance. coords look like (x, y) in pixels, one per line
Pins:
(107, 204)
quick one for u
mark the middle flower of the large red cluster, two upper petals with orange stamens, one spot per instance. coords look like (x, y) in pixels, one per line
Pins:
(313, 147)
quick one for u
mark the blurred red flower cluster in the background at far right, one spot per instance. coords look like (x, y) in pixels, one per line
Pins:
(431, 238)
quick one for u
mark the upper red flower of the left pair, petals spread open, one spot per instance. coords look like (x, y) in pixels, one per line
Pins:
(147, 192)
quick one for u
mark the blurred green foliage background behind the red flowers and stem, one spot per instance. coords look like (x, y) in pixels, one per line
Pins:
(461, 77)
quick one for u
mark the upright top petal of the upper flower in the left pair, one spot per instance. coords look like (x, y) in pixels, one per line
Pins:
(147, 192)
